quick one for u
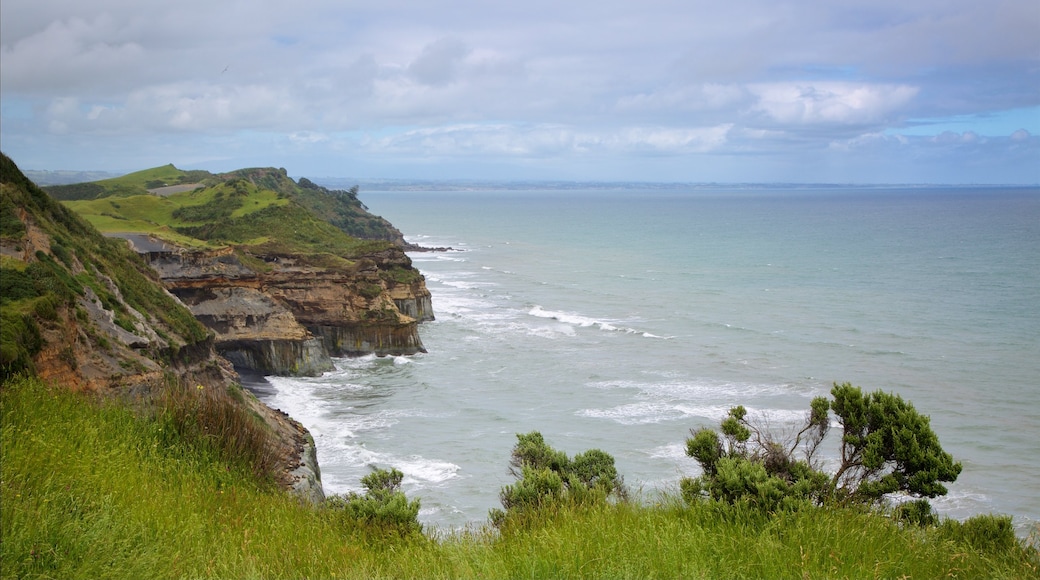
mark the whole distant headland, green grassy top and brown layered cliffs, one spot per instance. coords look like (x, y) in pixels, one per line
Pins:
(285, 274)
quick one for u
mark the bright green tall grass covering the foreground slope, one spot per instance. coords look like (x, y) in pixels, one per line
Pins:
(91, 491)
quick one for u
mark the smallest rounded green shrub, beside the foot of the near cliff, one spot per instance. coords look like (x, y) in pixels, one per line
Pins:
(383, 507)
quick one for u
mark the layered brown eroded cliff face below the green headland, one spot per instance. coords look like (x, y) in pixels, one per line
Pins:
(281, 315)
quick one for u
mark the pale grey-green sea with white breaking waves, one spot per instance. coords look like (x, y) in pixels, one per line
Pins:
(622, 320)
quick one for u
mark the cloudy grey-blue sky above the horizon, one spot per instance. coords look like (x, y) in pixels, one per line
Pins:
(658, 91)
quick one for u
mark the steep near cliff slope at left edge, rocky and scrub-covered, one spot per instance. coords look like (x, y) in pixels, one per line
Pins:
(86, 313)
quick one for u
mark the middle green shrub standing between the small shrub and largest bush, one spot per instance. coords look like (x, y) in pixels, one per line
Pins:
(548, 478)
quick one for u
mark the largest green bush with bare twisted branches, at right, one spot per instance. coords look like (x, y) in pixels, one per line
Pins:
(887, 447)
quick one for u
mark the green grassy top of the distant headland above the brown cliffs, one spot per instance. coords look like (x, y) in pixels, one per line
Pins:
(259, 212)
